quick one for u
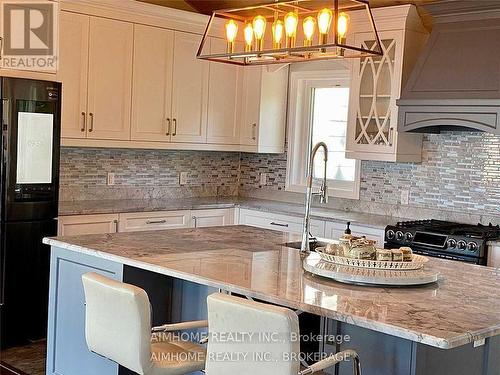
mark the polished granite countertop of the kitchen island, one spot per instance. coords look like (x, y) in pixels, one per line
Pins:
(462, 307)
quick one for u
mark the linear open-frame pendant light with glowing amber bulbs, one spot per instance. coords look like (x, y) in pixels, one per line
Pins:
(287, 31)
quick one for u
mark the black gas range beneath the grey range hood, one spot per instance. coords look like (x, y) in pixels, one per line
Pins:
(443, 239)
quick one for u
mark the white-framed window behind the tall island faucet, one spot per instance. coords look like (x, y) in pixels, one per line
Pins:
(319, 110)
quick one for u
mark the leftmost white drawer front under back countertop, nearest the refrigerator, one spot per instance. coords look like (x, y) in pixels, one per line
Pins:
(87, 224)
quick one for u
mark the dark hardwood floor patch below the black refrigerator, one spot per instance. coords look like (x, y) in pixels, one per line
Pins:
(24, 360)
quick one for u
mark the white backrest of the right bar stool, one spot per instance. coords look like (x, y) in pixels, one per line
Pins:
(249, 338)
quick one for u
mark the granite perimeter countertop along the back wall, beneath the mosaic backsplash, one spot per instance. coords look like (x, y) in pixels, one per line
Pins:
(294, 209)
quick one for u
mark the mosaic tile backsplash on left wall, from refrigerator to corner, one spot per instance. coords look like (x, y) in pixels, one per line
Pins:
(144, 174)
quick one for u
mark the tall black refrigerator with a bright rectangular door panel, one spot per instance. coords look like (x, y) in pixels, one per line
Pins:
(31, 117)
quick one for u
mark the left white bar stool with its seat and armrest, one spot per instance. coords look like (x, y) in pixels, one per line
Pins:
(118, 327)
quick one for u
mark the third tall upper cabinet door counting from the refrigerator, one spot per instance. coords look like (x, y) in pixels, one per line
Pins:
(152, 83)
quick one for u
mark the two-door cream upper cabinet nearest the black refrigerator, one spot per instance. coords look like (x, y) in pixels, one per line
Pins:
(95, 69)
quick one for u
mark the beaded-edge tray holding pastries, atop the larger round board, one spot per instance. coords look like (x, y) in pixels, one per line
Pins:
(416, 263)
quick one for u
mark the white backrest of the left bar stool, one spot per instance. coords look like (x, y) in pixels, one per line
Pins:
(117, 322)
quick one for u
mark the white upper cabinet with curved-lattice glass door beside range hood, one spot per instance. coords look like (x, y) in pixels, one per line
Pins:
(376, 83)
